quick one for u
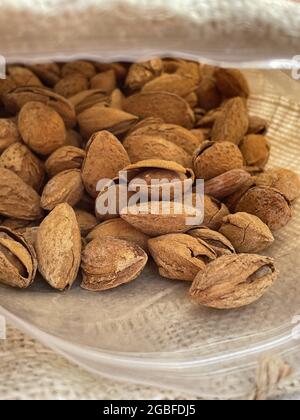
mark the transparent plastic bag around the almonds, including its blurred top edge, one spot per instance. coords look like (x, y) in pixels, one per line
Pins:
(148, 331)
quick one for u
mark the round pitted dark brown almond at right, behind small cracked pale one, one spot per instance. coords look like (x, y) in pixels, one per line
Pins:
(270, 205)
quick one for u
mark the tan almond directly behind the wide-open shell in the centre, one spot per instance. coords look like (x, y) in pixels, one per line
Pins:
(144, 147)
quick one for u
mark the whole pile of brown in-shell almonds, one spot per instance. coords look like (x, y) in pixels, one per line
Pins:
(65, 126)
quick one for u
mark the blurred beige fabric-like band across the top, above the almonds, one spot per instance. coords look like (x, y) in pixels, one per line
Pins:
(227, 31)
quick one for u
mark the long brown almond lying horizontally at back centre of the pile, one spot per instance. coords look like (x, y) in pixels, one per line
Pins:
(169, 107)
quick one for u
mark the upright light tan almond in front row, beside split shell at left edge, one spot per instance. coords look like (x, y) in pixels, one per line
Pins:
(58, 247)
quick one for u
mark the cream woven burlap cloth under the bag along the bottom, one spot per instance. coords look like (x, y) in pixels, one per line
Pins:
(29, 370)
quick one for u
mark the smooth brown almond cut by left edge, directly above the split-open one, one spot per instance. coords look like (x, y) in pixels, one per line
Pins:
(17, 199)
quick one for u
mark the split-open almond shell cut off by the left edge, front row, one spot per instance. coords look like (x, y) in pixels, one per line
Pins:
(18, 262)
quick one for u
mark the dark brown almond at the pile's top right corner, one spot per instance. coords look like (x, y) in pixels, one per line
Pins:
(231, 83)
